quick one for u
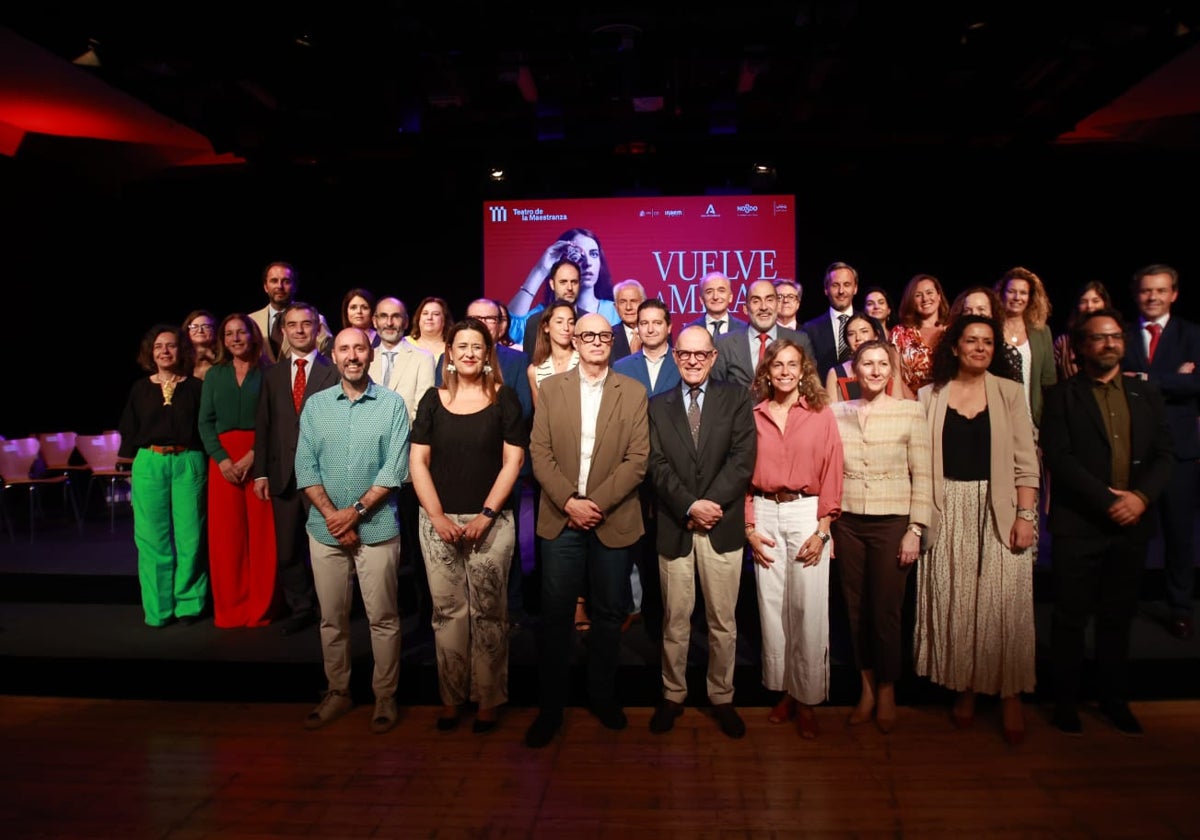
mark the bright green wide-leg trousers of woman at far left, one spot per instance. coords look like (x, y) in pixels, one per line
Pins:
(169, 500)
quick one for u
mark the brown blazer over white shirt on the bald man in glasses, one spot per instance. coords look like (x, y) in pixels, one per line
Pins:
(619, 460)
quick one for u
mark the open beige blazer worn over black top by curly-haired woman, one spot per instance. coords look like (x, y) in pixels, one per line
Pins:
(1015, 459)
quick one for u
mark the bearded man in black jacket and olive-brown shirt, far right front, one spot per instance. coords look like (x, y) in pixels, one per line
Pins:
(1108, 449)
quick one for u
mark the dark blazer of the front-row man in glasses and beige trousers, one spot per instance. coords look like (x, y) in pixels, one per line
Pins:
(718, 469)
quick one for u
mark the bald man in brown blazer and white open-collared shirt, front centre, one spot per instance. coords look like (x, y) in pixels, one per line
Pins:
(590, 448)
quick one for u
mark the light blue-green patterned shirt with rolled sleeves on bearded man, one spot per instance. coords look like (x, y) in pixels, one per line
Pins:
(349, 447)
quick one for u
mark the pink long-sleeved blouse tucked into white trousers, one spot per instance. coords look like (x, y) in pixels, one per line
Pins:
(806, 458)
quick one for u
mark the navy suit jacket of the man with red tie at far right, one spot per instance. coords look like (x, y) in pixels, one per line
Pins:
(1179, 344)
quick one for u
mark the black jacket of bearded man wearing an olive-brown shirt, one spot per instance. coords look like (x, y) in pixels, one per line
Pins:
(1077, 454)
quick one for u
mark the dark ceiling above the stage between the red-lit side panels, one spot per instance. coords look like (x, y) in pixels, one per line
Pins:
(379, 82)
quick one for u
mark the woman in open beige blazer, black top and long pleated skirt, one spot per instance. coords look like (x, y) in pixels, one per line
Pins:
(975, 589)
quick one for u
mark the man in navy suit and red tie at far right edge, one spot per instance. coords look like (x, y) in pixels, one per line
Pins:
(1166, 350)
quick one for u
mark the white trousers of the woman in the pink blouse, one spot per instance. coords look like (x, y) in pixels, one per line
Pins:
(794, 603)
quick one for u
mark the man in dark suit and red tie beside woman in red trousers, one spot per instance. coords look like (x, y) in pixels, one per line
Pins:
(277, 434)
